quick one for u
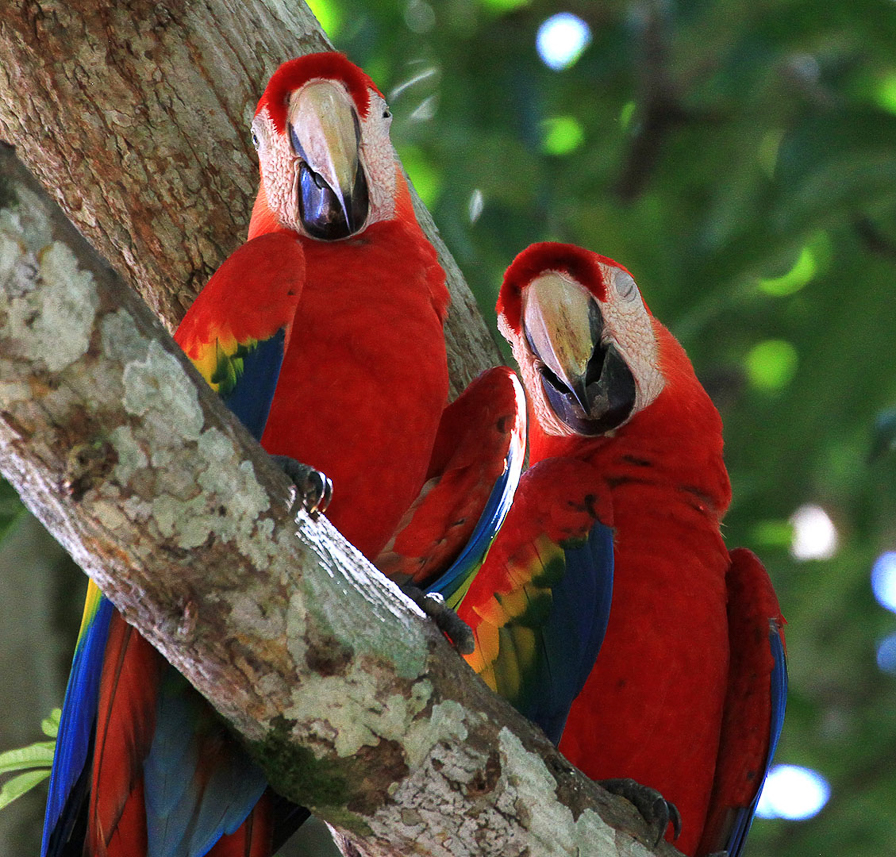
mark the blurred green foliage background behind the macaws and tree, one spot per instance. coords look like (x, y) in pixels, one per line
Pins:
(739, 157)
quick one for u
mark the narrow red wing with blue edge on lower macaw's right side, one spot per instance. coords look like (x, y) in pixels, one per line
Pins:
(754, 704)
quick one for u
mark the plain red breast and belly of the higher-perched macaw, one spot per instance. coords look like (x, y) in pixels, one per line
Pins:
(364, 380)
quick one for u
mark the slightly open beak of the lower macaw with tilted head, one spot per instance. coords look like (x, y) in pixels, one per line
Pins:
(586, 381)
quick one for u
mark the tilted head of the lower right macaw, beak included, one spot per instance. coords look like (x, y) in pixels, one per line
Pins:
(584, 339)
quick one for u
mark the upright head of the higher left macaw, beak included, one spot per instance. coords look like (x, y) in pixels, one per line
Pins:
(321, 129)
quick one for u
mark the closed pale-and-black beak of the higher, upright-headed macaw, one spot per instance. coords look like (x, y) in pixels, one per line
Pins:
(325, 135)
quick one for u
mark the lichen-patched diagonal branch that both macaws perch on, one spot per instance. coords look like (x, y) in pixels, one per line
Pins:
(351, 701)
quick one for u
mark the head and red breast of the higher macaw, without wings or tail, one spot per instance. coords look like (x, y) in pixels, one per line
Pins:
(368, 348)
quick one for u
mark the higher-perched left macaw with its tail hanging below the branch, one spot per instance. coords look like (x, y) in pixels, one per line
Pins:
(323, 334)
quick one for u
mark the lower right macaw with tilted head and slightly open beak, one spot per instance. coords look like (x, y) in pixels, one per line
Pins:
(687, 693)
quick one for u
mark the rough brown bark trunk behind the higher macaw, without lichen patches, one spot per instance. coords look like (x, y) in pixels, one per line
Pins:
(135, 116)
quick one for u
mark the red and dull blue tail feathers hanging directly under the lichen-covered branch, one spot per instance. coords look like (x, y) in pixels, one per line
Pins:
(168, 780)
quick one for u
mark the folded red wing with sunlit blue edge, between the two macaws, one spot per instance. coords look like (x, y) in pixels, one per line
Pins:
(474, 470)
